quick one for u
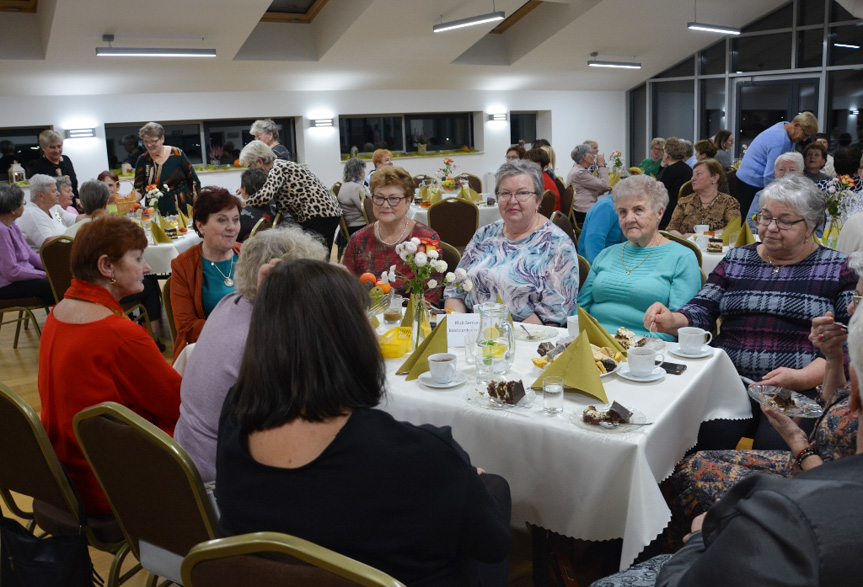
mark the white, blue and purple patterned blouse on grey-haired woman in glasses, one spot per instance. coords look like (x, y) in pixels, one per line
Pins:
(535, 275)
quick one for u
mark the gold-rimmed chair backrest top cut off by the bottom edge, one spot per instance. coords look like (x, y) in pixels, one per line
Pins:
(290, 560)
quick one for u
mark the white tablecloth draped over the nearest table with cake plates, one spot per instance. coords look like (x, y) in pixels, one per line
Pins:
(592, 485)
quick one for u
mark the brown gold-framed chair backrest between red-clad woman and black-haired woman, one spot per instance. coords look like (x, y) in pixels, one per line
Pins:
(153, 487)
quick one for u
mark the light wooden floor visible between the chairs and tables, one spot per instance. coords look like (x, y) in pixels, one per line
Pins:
(18, 368)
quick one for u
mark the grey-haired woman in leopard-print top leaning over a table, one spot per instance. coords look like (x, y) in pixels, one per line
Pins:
(295, 190)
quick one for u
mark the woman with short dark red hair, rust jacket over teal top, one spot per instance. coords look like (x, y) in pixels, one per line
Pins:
(204, 274)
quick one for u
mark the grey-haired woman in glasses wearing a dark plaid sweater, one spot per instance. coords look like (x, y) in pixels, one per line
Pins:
(767, 294)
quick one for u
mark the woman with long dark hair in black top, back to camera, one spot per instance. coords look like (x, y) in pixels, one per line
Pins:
(302, 449)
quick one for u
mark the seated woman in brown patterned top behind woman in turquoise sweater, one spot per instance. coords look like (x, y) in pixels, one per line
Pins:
(707, 205)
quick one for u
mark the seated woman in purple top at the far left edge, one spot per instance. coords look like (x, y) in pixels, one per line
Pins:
(21, 271)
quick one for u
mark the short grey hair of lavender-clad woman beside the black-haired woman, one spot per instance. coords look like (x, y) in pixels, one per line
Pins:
(287, 243)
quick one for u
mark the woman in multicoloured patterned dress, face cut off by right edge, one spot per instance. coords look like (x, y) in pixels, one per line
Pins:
(704, 477)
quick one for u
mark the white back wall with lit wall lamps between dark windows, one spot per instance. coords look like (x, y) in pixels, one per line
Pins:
(575, 116)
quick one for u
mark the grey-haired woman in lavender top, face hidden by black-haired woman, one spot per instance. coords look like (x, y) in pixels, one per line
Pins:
(214, 366)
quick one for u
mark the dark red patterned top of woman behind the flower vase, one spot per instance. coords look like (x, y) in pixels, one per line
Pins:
(366, 253)
